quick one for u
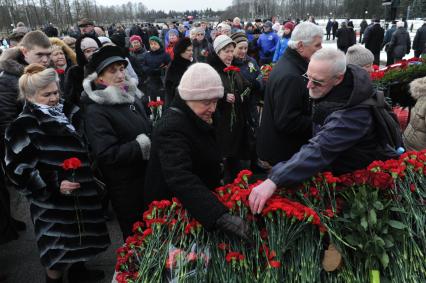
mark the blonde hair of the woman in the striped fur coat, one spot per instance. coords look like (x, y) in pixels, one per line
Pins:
(35, 77)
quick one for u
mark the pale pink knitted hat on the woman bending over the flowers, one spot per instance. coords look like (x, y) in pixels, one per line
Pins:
(200, 82)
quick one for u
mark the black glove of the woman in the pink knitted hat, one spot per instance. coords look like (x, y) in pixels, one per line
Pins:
(233, 226)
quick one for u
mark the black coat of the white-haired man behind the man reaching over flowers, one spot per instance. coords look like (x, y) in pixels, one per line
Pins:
(286, 124)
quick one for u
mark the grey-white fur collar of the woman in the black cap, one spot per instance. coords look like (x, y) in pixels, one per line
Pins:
(111, 95)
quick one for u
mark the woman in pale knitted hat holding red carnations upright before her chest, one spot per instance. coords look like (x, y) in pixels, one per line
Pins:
(231, 118)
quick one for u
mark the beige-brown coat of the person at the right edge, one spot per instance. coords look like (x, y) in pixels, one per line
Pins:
(415, 134)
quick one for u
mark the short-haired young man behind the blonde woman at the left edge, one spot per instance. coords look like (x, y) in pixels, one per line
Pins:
(34, 48)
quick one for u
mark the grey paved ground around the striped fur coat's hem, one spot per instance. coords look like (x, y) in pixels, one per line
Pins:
(20, 259)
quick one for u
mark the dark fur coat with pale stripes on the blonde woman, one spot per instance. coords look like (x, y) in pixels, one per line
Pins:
(36, 147)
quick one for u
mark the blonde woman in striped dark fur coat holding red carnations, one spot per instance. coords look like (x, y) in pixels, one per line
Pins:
(65, 204)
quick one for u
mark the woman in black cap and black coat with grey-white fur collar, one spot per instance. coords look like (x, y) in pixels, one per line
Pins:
(117, 129)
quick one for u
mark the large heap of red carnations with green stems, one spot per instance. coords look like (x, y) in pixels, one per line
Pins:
(375, 217)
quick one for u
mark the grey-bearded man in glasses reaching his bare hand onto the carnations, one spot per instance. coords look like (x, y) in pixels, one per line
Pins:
(345, 134)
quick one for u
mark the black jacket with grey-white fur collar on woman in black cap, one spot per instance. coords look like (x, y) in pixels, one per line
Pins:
(113, 120)
